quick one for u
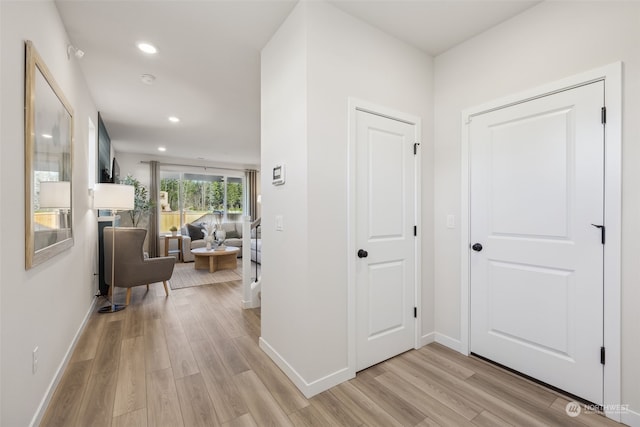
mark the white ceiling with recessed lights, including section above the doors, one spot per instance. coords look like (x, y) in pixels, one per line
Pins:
(208, 65)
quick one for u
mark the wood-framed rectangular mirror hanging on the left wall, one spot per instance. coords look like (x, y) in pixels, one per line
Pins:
(48, 163)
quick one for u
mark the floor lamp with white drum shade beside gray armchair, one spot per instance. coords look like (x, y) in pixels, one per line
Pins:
(113, 197)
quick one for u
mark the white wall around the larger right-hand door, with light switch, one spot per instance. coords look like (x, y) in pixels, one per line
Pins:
(546, 43)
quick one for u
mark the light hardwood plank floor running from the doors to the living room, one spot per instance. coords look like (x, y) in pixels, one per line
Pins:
(192, 359)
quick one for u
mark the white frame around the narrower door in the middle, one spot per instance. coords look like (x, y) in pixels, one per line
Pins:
(355, 105)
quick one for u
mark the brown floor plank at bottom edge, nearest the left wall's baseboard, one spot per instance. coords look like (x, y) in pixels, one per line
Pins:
(66, 401)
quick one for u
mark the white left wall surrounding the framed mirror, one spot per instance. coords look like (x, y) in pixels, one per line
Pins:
(46, 305)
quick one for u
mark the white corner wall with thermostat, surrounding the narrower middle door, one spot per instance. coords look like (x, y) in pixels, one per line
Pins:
(318, 59)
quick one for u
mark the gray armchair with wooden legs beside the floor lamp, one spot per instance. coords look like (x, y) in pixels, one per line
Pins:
(131, 267)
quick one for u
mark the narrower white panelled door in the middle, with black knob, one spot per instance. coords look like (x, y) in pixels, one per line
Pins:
(385, 268)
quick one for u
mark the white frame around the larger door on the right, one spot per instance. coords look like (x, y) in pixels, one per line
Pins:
(612, 76)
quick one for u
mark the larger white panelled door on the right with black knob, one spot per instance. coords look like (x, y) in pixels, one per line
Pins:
(536, 201)
